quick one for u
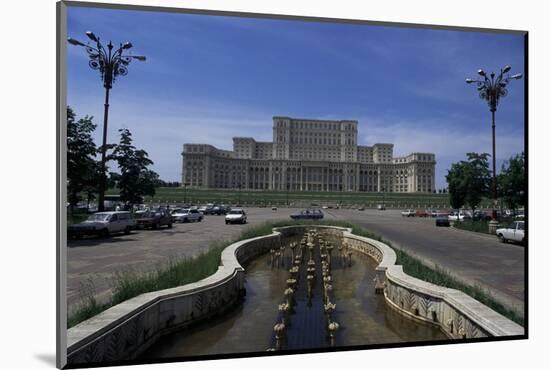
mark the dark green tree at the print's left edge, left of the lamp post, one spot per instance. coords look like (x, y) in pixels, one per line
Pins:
(82, 167)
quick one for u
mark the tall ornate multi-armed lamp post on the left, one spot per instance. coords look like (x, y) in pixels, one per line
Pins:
(110, 64)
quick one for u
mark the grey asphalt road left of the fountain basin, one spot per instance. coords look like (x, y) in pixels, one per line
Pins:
(96, 260)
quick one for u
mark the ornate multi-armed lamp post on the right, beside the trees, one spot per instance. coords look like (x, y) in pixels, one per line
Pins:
(491, 88)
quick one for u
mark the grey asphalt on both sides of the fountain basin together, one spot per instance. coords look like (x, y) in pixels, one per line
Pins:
(475, 259)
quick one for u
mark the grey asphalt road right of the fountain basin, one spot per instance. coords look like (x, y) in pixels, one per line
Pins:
(473, 258)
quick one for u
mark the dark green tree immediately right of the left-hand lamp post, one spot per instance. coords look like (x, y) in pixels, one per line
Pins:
(135, 179)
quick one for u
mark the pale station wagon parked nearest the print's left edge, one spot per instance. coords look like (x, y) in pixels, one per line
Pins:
(103, 223)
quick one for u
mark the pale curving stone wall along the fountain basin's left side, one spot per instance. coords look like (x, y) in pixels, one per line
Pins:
(124, 331)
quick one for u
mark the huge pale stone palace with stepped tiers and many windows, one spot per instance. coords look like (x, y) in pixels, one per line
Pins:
(308, 155)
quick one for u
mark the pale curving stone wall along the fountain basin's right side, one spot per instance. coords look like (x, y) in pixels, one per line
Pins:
(455, 313)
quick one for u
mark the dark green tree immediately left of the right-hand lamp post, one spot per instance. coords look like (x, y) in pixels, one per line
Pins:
(469, 181)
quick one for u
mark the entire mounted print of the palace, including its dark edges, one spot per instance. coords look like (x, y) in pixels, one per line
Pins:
(239, 185)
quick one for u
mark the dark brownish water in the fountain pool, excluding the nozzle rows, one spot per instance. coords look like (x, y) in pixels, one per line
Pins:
(363, 317)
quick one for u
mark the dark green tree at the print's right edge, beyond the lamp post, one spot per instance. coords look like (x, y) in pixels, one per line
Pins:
(511, 182)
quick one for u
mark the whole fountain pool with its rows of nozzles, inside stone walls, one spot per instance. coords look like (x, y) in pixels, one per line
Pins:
(301, 302)
